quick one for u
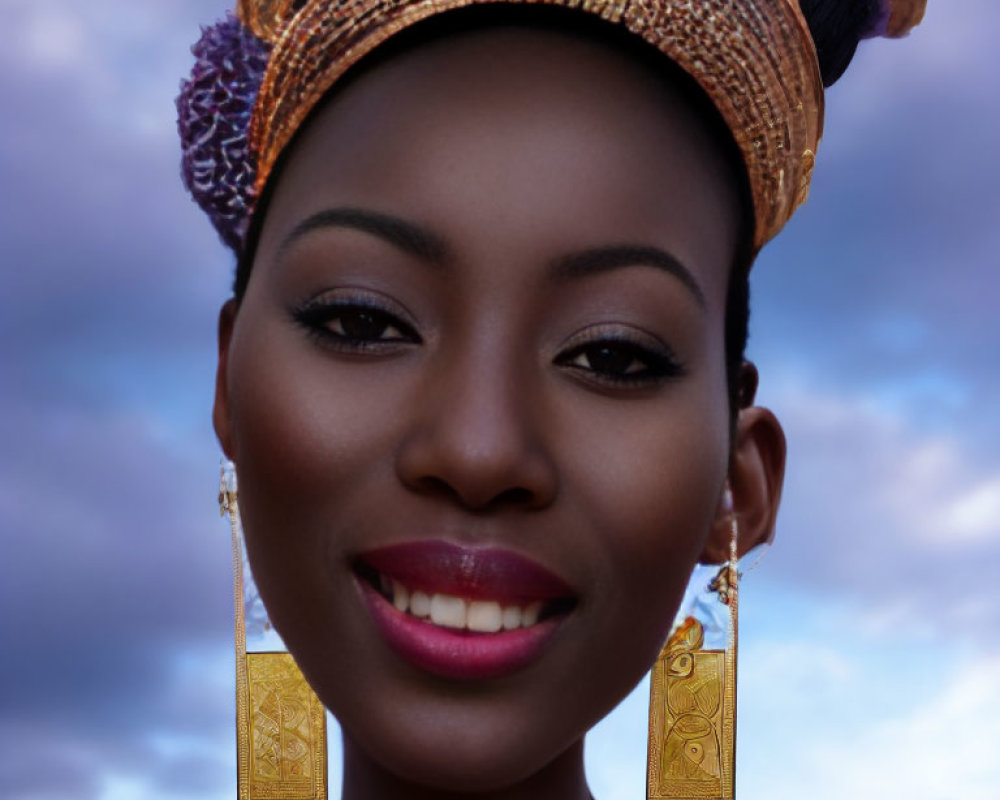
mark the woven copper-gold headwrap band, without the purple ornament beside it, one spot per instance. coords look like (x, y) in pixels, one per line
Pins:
(754, 58)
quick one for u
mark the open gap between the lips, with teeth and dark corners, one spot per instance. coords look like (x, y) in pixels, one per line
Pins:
(458, 613)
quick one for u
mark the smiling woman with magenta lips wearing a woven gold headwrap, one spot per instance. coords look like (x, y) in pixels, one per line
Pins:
(482, 377)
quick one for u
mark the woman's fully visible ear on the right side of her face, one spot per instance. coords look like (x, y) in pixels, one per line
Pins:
(756, 475)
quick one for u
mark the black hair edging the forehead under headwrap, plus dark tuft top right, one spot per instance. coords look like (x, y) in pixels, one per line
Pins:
(837, 26)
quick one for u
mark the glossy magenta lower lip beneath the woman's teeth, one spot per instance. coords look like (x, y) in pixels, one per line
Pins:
(459, 655)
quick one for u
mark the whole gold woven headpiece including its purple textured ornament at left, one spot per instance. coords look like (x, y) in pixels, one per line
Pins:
(755, 59)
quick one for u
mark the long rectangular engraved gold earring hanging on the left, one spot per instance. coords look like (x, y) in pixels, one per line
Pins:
(280, 722)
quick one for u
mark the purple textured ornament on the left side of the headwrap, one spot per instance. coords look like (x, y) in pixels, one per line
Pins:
(213, 119)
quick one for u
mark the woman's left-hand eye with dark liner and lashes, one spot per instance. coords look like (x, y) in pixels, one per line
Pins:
(320, 316)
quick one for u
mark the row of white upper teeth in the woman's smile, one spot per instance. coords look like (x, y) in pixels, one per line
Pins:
(449, 611)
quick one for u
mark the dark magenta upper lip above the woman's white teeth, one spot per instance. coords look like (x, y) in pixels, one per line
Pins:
(474, 573)
